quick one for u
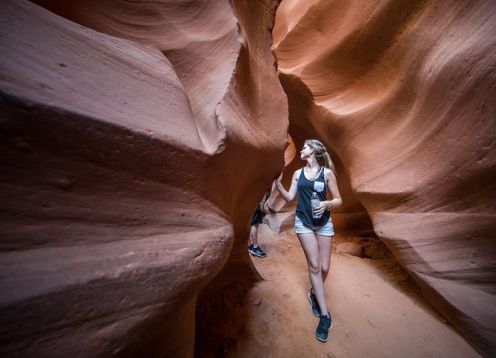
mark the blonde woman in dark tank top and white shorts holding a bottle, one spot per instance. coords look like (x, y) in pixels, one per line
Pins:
(314, 226)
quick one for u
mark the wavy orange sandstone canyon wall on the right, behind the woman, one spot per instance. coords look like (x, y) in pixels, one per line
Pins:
(403, 92)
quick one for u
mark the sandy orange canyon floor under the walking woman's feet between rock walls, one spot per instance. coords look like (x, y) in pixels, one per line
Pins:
(377, 309)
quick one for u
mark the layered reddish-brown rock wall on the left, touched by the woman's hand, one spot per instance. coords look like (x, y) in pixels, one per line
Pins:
(131, 160)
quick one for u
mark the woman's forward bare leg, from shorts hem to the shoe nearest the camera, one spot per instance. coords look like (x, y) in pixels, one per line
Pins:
(311, 250)
